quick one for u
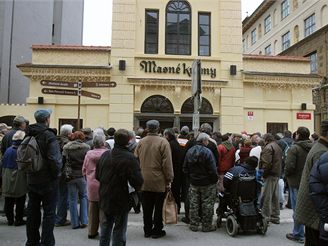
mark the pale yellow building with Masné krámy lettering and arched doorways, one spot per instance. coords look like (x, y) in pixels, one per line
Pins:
(154, 44)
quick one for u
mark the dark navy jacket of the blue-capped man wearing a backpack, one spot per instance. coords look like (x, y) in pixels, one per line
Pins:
(50, 152)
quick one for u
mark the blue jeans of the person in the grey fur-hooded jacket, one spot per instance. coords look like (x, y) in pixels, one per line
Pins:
(77, 189)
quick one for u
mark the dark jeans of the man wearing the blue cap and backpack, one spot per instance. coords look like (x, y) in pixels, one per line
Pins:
(46, 195)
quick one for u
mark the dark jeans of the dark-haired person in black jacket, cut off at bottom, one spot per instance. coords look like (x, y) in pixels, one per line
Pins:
(119, 232)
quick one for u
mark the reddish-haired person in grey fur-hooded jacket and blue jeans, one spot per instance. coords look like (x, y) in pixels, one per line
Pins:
(74, 153)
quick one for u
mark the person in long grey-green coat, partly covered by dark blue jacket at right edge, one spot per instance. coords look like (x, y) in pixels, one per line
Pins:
(305, 210)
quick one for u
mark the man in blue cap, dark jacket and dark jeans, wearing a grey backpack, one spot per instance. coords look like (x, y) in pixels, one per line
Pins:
(43, 184)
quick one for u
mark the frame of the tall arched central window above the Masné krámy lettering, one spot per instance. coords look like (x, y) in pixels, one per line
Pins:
(178, 35)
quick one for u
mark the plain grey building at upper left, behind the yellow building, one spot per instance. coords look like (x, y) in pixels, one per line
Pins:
(23, 23)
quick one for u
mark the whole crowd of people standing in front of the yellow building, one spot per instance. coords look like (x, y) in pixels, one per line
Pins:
(92, 172)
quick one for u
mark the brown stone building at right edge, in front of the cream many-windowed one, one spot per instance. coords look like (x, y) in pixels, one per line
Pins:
(315, 47)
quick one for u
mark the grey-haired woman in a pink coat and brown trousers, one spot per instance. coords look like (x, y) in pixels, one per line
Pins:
(89, 170)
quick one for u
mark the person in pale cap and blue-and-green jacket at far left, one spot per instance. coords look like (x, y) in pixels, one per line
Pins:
(14, 183)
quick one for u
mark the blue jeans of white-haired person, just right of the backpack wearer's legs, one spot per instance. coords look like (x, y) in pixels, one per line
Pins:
(62, 202)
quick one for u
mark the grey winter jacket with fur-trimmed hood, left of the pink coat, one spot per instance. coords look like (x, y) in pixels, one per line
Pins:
(74, 153)
